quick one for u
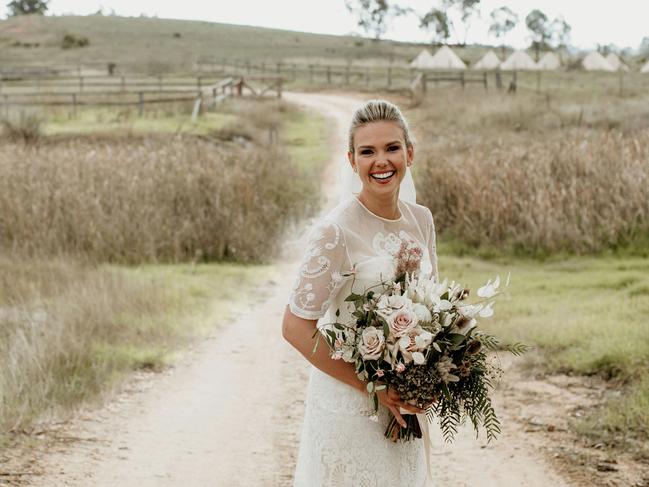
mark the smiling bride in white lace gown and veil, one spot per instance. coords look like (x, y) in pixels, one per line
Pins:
(340, 445)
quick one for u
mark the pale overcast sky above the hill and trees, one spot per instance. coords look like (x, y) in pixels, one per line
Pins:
(620, 22)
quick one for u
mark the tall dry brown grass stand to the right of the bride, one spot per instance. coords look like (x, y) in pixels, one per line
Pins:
(515, 175)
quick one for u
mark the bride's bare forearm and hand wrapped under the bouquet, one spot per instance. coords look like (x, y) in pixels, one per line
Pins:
(299, 333)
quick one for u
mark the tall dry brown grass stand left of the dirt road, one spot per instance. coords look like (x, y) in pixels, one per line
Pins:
(149, 199)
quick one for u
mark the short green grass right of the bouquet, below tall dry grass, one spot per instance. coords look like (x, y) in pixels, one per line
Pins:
(583, 315)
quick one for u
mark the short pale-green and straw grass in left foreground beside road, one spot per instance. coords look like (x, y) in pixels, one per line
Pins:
(70, 331)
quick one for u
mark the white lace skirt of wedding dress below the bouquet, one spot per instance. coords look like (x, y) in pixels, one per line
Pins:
(341, 446)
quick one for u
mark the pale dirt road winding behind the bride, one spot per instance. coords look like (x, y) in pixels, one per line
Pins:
(229, 413)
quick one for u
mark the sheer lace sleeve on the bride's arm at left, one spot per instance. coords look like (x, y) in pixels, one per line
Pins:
(322, 272)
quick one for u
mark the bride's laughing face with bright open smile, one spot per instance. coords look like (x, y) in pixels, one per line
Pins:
(380, 157)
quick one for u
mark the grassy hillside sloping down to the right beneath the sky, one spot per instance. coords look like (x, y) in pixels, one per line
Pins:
(151, 44)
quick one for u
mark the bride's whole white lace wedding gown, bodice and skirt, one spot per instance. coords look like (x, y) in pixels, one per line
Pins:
(340, 446)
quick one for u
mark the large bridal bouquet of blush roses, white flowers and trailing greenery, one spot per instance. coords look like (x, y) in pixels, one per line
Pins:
(421, 337)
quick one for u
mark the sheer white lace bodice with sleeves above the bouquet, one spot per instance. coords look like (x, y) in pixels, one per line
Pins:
(353, 240)
